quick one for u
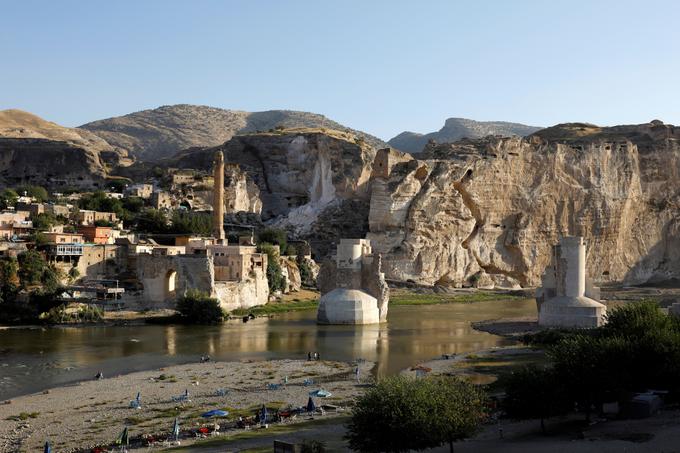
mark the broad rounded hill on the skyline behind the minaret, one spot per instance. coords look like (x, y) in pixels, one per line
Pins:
(162, 132)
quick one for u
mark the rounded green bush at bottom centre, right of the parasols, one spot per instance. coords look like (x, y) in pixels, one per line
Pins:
(401, 414)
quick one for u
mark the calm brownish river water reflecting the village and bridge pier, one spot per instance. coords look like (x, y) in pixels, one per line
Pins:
(35, 359)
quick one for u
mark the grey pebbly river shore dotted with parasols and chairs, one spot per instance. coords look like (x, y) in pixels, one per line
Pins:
(95, 412)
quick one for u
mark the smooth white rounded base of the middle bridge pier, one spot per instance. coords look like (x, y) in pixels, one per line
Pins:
(348, 306)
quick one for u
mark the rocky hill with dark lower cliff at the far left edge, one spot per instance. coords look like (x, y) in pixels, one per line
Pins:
(33, 150)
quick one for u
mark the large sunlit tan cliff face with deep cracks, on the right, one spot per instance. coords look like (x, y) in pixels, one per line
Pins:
(490, 209)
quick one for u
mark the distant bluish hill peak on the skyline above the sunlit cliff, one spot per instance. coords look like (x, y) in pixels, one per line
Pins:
(456, 129)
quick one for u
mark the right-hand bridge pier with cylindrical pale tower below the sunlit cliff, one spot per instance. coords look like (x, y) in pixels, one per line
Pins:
(567, 298)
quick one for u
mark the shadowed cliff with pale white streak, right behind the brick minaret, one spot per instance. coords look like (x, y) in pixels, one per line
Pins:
(297, 178)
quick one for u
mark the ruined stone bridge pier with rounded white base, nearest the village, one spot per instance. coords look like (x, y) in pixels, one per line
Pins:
(352, 285)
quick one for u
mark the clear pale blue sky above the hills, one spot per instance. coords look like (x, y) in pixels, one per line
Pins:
(379, 66)
